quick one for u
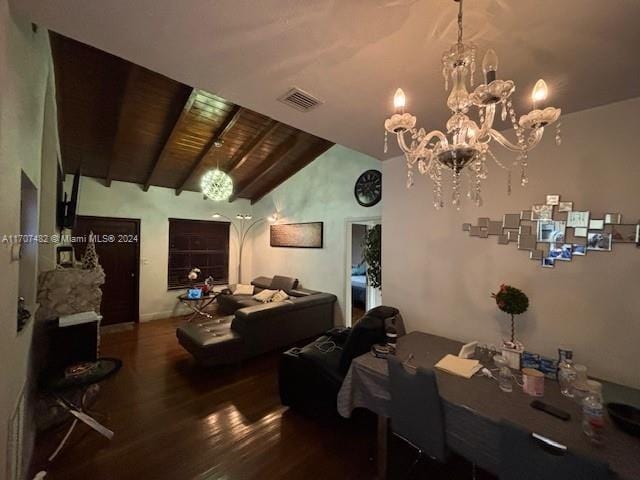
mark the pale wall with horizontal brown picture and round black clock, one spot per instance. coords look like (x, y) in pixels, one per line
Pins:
(321, 192)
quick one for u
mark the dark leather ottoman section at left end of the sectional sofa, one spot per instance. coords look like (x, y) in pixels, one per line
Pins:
(212, 342)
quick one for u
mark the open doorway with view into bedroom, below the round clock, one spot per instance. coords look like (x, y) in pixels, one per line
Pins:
(361, 292)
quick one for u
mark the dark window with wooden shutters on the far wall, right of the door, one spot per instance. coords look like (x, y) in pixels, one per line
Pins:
(198, 243)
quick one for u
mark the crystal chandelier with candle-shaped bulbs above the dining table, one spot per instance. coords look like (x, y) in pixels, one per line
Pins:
(465, 148)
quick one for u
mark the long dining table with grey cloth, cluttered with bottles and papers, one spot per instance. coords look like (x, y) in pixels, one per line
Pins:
(474, 407)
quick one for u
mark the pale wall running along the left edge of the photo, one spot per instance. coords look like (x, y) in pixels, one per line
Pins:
(25, 73)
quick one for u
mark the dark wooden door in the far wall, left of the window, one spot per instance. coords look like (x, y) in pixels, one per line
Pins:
(118, 247)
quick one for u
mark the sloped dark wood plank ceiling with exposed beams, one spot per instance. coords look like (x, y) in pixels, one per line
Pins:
(120, 121)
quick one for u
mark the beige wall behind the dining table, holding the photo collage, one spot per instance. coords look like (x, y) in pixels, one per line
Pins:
(441, 278)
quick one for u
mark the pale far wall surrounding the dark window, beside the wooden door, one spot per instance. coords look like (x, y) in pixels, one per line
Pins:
(154, 208)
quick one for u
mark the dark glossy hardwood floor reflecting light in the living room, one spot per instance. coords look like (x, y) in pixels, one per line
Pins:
(175, 420)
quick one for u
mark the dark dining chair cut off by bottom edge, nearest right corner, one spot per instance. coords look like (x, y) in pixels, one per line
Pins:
(523, 456)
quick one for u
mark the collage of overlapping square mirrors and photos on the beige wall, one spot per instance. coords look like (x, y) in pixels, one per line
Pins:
(554, 232)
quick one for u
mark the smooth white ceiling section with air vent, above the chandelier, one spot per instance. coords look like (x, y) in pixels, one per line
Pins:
(352, 54)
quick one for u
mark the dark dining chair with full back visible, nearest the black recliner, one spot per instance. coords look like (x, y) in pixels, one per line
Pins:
(416, 411)
